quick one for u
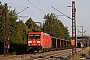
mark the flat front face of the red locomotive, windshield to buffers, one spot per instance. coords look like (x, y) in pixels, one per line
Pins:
(34, 42)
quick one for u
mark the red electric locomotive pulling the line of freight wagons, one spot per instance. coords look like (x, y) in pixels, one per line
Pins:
(38, 41)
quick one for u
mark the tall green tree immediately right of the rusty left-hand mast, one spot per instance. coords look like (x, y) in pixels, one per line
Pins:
(12, 25)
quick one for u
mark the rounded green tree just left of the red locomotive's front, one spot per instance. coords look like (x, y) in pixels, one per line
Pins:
(21, 35)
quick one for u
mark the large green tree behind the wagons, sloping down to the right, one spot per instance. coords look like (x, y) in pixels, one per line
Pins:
(54, 27)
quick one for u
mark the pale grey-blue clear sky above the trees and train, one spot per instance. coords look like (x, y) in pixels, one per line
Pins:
(38, 8)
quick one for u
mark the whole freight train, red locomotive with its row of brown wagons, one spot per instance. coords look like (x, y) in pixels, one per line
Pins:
(42, 41)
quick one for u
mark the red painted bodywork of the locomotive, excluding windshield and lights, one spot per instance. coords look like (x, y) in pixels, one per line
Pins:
(45, 40)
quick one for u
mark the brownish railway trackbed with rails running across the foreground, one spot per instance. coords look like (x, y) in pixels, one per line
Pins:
(40, 56)
